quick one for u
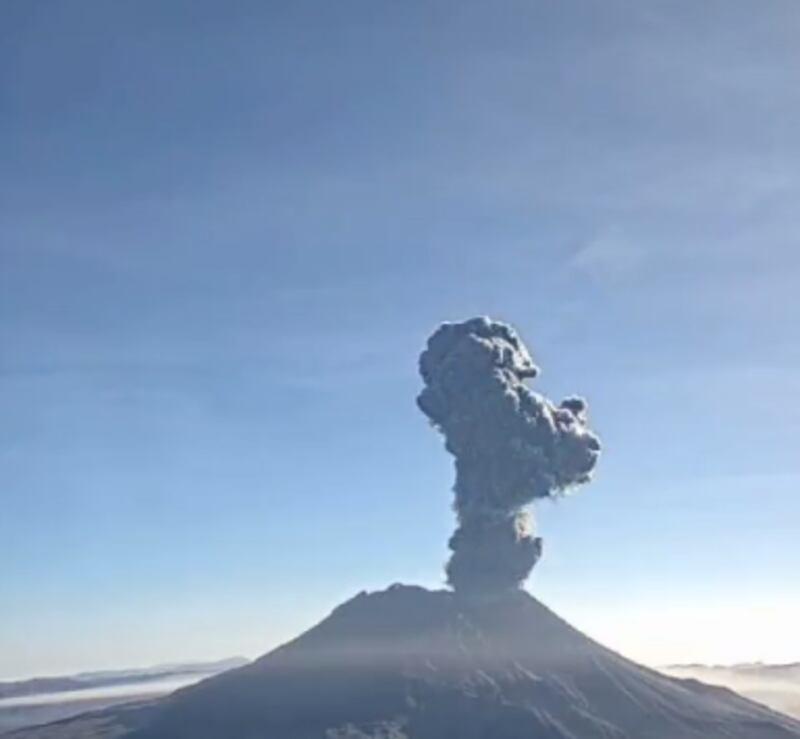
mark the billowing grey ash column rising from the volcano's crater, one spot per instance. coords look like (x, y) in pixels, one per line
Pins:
(510, 445)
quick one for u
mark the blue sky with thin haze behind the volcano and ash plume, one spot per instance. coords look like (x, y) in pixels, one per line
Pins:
(226, 230)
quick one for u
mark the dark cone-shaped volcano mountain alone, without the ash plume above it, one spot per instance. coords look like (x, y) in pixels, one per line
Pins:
(408, 663)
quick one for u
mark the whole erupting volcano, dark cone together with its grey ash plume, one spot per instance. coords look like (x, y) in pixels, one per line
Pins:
(484, 660)
